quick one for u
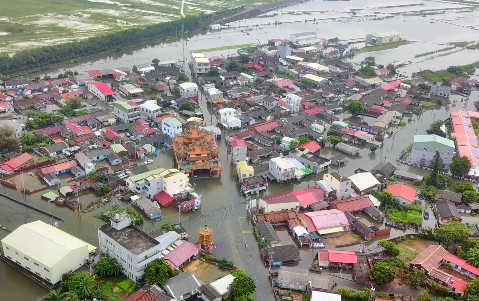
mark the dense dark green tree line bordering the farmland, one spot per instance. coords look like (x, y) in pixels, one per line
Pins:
(39, 57)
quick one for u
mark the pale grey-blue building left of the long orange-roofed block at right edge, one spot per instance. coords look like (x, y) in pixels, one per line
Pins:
(425, 146)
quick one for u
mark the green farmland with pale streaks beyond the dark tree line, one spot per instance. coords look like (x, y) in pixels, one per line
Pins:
(27, 24)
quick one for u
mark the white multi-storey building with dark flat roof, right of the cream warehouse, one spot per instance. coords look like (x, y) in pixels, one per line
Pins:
(132, 248)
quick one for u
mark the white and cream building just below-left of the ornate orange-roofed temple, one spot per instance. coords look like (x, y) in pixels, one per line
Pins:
(172, 181)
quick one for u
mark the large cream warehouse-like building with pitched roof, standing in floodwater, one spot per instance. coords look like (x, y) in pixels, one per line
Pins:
(45, 251)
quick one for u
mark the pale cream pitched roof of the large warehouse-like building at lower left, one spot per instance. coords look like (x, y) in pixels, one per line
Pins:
(44, 243)
